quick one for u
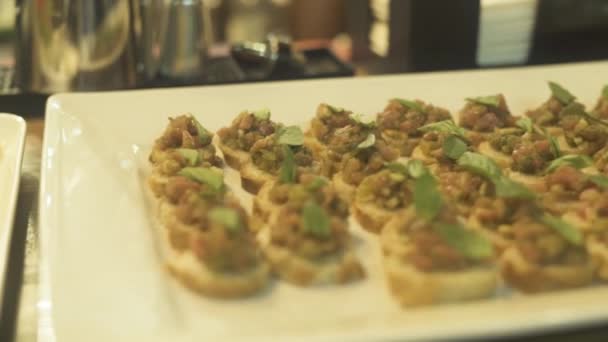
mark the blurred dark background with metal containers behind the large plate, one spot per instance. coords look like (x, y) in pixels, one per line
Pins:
(49, 46)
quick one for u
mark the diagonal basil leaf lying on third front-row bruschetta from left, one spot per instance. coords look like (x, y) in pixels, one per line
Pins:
(471, 244)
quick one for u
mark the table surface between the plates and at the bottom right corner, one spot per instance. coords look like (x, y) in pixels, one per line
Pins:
(22, 287)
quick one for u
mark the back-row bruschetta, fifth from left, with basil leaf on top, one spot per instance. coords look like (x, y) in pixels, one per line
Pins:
(486, 113)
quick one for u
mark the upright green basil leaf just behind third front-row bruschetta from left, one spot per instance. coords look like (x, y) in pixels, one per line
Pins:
(427, 198)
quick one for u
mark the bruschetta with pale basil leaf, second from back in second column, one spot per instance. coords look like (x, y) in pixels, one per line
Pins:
(268, 156)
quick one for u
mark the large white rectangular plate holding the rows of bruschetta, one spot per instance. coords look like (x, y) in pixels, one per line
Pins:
(102, 272)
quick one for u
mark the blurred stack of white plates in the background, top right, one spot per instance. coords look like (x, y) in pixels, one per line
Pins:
(505, 31)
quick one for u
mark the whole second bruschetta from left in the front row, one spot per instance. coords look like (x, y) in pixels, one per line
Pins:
(309, 242)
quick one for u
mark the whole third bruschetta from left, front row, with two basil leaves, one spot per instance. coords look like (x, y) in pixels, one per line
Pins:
(430, 257)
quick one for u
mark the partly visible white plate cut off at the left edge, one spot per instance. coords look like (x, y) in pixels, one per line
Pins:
(12, 137)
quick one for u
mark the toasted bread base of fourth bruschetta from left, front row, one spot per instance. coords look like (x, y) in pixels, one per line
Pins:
(527, 277)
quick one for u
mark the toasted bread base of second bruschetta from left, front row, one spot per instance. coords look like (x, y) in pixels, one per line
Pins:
(339, 268)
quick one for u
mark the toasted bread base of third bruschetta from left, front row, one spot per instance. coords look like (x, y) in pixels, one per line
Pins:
(413, 287)
